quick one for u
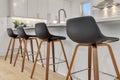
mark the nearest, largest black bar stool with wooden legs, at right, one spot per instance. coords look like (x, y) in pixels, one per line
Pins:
(85, 32)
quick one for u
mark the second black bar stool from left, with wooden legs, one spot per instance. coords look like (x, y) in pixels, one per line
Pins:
(25, 37)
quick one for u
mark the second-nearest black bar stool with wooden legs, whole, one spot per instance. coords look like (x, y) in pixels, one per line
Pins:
(43, 33)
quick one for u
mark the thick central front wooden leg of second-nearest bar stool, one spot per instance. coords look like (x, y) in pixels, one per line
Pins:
(47, 61)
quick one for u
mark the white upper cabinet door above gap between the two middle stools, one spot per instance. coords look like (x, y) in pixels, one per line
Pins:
(32, 8)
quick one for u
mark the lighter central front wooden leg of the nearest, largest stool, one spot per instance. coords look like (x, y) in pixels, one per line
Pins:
(95, 63)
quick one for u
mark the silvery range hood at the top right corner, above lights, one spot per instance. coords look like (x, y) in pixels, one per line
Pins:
(106, 3)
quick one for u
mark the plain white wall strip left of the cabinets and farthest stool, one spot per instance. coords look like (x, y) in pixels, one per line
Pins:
(3, 25)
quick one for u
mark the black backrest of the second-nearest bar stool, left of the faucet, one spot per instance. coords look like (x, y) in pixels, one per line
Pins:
(42, 31)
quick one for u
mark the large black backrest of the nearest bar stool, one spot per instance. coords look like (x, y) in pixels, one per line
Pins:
(83, 29)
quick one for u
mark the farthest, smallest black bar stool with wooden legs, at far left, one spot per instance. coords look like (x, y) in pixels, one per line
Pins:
(13, 37)
